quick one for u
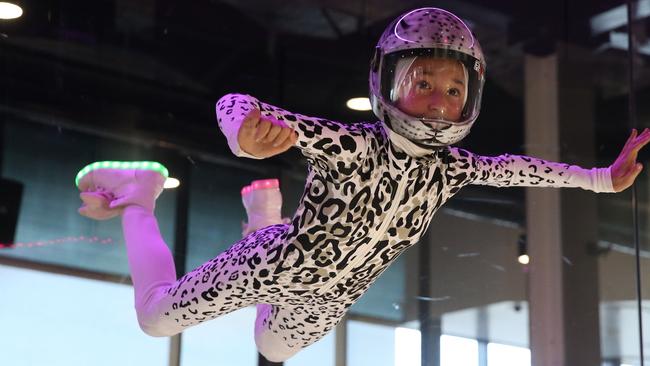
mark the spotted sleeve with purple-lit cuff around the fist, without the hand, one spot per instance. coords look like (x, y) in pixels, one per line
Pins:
(326, 144)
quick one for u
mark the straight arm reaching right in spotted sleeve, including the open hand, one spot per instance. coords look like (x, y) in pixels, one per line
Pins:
(516, 170)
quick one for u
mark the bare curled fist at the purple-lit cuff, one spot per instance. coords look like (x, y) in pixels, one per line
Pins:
(263, 137)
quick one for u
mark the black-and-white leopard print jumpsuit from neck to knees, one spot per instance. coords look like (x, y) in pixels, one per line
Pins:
(364, 203)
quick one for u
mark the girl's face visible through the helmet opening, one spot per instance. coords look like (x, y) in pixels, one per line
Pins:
(433, 88)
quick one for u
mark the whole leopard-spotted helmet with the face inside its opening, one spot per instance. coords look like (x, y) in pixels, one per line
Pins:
(426, 77)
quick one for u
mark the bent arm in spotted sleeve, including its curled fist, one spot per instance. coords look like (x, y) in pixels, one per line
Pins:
(327, 144)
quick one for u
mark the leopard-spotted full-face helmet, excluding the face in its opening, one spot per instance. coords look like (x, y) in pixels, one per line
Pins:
(425, 32)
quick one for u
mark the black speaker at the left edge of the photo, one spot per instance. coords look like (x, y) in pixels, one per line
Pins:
(11, 193)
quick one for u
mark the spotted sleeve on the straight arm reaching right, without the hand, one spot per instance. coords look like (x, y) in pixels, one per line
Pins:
(517, 170)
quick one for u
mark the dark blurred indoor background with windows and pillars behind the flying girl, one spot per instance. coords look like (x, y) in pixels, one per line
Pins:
(510, 276)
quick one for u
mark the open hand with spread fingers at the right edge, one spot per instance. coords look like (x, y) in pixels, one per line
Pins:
(625, 169)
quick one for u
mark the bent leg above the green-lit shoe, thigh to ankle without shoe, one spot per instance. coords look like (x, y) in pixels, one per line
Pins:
(233, 280)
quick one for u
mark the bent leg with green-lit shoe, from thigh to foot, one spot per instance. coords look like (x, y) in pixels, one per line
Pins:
(165, 306)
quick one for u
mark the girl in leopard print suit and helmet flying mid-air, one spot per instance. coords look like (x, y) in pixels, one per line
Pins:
(371, 191)
